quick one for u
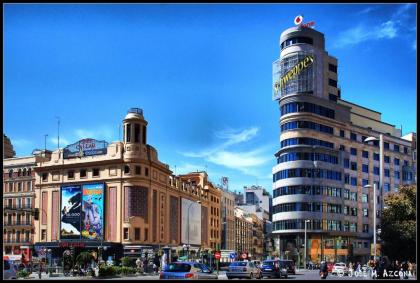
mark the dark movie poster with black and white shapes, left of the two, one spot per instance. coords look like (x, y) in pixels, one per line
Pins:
(71, 204)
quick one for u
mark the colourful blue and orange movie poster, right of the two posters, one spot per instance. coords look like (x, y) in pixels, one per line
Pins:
(93, 211)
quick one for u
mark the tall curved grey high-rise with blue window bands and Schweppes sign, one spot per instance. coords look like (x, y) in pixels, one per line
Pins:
(323, 163)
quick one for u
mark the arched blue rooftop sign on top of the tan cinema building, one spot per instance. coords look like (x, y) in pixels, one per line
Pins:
(85, 147)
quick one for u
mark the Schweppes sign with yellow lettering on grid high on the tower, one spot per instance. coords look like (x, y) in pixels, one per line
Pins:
(293, 73)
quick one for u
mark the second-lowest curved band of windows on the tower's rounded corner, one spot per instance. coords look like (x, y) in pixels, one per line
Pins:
(307, 206)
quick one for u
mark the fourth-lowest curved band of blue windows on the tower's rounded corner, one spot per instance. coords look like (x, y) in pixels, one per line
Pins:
(308, 173)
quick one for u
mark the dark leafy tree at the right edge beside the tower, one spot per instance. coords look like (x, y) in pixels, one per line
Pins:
(398, 224)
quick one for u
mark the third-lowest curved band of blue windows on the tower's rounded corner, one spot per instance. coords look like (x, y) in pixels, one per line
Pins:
(307, 190)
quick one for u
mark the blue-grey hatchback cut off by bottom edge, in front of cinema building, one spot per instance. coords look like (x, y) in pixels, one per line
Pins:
(187, 270)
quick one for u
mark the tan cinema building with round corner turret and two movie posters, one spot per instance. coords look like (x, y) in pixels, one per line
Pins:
(118, 199)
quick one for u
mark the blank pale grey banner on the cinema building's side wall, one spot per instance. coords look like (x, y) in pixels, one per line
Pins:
(193, 209)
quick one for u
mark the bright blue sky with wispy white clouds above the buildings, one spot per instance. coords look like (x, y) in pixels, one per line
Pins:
(201, 73)
